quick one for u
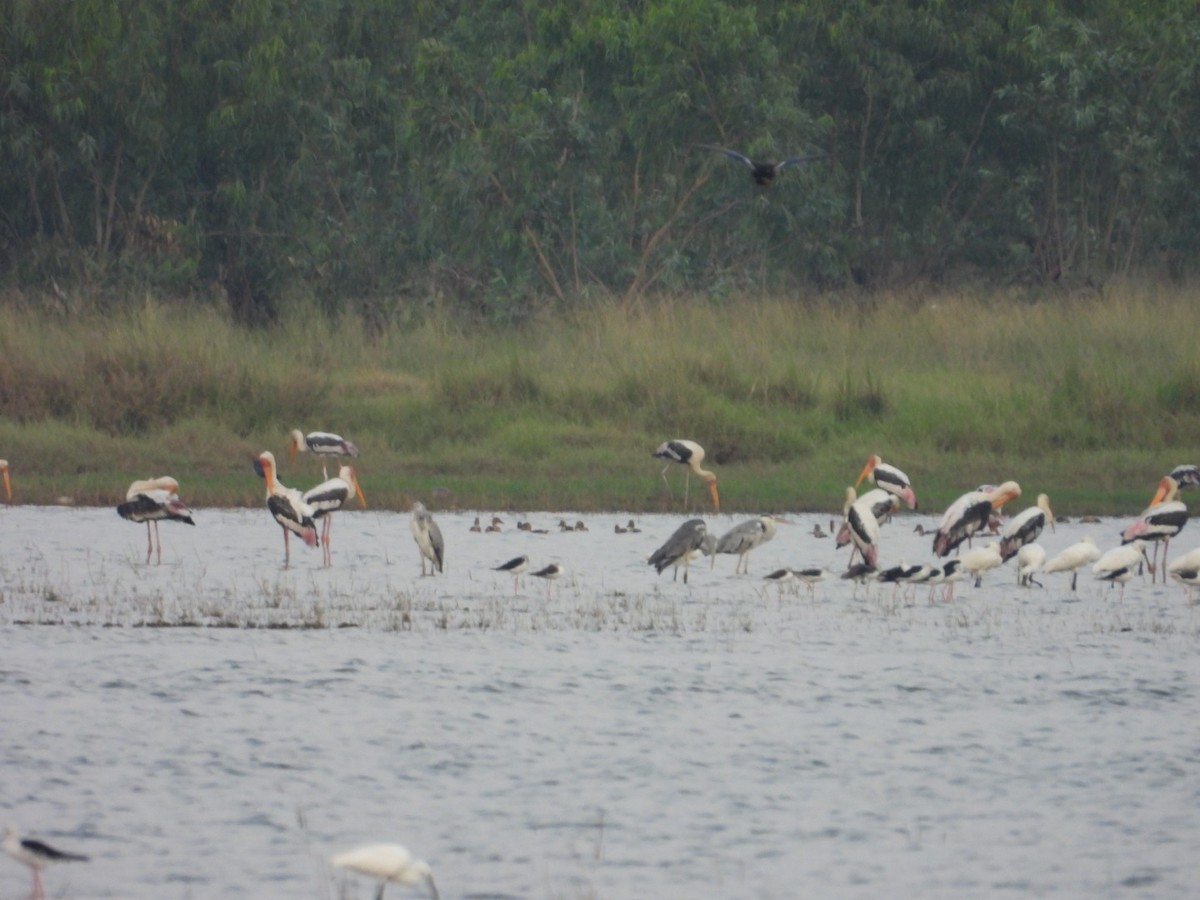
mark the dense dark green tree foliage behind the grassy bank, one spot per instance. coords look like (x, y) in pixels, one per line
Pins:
(386, 155)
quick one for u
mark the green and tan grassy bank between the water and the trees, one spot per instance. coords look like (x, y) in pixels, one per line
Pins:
(1089, 399)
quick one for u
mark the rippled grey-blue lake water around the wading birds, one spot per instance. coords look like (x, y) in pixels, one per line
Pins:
(217, 727)
